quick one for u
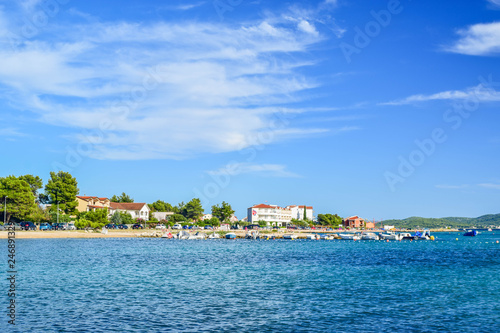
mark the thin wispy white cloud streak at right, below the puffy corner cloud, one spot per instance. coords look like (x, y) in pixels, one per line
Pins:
(481, 92)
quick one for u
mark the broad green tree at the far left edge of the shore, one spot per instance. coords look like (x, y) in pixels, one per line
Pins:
(20, 199)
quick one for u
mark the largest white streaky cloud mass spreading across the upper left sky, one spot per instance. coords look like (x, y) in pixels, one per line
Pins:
(167, 90)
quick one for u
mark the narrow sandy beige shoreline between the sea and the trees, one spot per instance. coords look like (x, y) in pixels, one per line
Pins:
(52, 234)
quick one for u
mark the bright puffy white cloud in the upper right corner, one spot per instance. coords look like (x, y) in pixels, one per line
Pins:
(479, 39)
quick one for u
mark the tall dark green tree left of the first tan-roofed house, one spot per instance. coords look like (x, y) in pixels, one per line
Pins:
(62, 188)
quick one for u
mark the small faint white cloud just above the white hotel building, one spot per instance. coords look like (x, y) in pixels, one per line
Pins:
(265, 170)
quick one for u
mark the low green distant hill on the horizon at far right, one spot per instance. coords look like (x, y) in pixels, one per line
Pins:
(455, 222)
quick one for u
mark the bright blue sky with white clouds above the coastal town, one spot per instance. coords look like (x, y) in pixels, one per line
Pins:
(383, 109)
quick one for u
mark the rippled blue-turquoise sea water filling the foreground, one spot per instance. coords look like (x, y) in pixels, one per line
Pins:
(157, 285)
